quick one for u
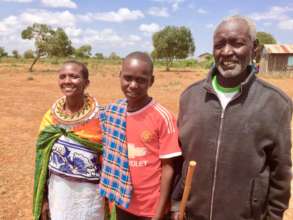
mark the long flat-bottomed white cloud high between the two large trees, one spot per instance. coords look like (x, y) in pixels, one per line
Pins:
(123, 14)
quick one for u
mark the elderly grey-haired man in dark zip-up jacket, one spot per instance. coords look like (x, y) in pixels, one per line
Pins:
(237, 128)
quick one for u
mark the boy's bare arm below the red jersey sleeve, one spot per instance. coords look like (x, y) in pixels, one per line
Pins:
(166, 181)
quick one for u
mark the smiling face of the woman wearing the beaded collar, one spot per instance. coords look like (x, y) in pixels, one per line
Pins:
(71, 81)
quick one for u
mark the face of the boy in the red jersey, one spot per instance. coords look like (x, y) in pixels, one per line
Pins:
(136, 78)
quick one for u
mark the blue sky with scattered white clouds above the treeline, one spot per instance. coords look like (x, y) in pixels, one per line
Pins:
(123, 26)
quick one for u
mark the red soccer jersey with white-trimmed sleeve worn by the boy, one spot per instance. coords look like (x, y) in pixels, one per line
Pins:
(152, 135)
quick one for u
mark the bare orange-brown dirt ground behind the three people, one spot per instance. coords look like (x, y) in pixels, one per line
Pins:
(25, 97)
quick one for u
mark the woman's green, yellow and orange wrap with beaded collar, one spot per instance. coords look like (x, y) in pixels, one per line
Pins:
(85, 127)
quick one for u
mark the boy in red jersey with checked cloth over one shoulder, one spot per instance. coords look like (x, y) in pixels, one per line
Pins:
(141, 142)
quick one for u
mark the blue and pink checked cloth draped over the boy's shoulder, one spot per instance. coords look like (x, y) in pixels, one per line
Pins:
(115, 182)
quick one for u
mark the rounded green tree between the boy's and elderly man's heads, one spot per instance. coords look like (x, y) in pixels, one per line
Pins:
(173, 43)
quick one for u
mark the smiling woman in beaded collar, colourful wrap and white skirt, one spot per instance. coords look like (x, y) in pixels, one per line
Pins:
(68, 150)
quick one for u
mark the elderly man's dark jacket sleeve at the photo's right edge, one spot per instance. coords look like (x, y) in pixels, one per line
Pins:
(279, 159)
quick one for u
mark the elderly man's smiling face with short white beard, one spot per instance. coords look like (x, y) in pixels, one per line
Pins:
(233, 48)
